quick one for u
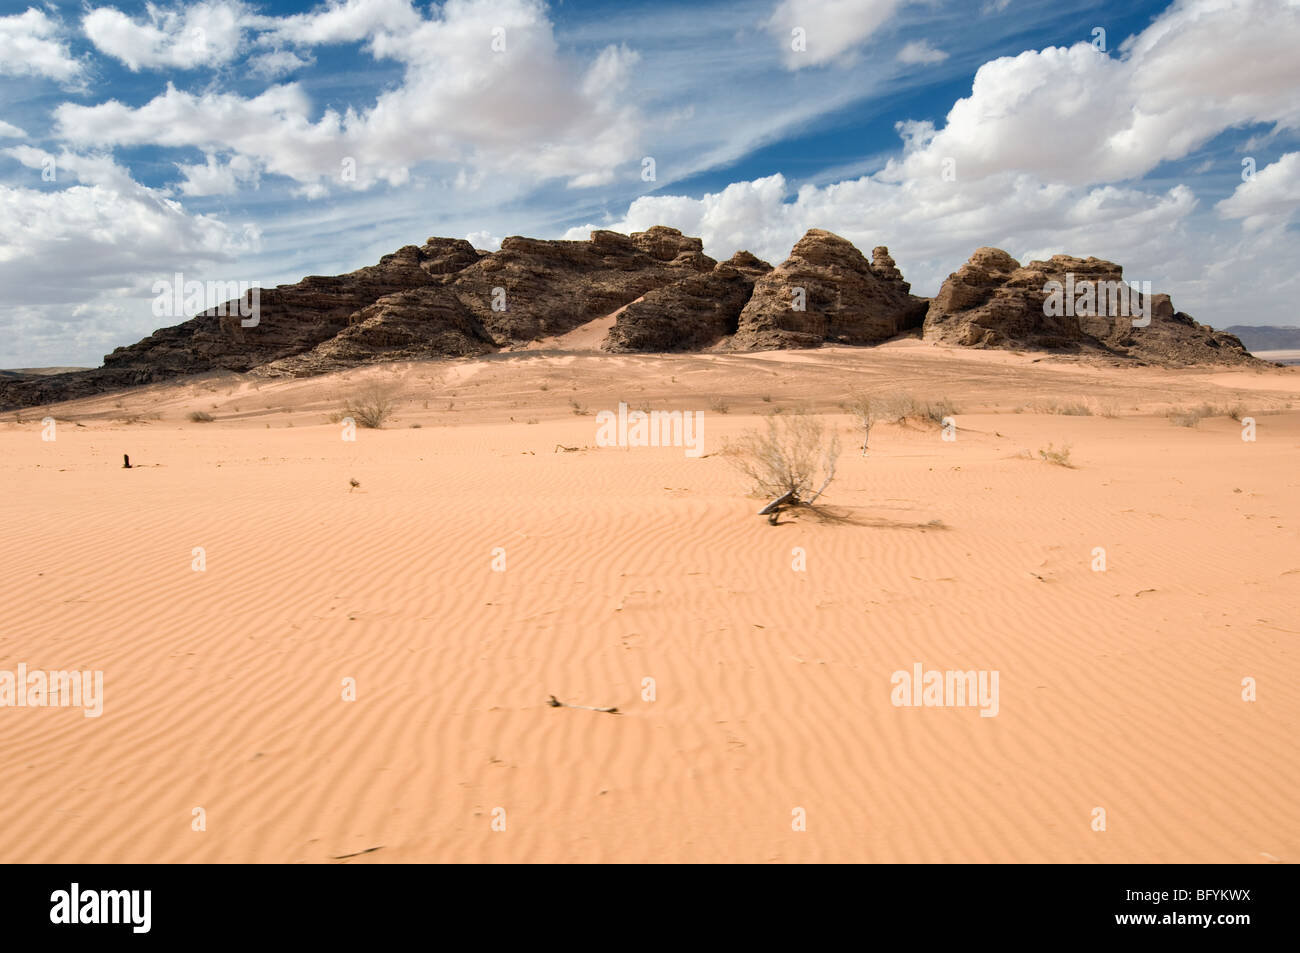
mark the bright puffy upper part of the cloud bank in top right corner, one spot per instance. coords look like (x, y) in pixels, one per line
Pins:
(1080, 116)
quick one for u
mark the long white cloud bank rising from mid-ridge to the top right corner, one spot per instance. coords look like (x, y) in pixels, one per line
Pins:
(1041, 159)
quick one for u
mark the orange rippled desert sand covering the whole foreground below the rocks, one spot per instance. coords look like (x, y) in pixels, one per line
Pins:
(773, 688)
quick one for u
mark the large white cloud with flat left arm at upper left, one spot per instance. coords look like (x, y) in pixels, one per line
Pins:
(486, 86)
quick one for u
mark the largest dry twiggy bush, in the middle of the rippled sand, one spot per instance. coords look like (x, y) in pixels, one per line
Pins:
(788, 458)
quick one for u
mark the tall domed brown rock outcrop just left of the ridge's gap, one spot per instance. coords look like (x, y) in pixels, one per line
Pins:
(829, 293)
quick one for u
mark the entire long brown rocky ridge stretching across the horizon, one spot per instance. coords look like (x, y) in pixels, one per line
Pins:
(664, 294)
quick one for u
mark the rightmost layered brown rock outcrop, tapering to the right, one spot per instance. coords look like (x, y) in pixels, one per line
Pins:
(1068, 304)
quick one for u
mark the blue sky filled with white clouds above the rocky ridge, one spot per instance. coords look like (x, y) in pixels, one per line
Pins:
(263, 142)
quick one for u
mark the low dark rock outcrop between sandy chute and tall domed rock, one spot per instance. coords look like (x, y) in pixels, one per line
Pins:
(691, 313)
